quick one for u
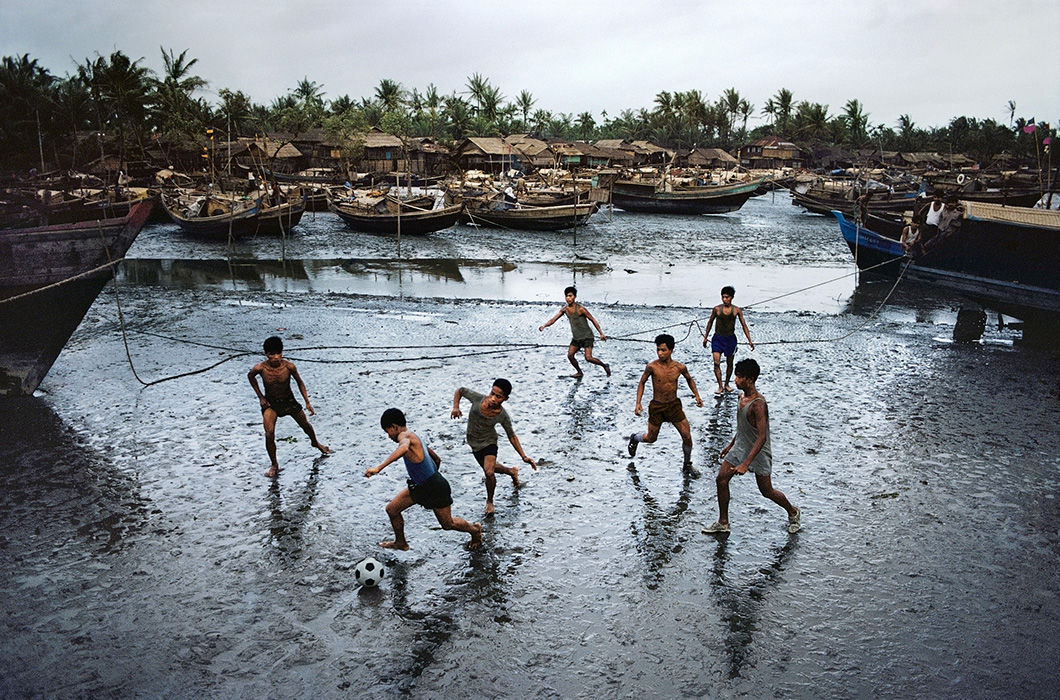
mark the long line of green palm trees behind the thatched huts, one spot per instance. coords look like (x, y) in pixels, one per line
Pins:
(114, 103)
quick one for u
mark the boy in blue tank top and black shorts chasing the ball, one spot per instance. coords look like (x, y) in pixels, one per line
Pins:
(427, 486)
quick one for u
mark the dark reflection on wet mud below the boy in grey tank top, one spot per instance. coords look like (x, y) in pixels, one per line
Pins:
(743, 600)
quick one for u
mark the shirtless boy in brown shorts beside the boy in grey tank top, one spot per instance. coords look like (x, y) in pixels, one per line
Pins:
(665, 407)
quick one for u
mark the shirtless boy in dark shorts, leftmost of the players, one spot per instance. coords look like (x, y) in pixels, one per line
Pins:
(279, 400)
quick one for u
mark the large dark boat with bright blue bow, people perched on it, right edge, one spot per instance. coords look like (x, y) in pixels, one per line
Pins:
(1005, 258)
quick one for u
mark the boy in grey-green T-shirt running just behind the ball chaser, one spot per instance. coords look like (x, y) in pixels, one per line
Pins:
(485, 415)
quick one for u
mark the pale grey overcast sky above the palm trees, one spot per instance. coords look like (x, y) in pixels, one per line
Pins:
(932, 60)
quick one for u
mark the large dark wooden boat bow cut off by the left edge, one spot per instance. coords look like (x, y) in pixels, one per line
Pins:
(49, 278)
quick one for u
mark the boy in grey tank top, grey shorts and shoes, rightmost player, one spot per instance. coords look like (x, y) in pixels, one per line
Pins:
(750, 450)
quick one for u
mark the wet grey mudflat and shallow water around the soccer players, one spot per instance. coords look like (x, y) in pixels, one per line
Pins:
(146, 554)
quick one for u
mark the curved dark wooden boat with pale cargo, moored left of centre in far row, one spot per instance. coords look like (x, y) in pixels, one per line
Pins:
(385, 215)
